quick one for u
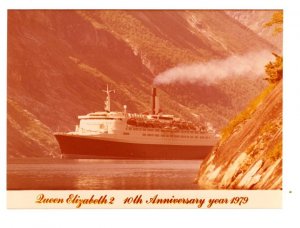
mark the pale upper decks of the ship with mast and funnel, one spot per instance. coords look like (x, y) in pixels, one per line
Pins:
(155, 128)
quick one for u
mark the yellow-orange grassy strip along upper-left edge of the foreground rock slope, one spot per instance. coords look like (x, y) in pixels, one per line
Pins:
(246, 114)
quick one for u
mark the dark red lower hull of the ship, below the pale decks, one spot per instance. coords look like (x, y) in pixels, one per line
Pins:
(81, 147)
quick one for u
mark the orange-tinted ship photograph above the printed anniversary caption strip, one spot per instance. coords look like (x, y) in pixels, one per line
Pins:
(144, 99)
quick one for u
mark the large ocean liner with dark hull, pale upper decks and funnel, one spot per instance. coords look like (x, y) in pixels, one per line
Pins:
(122, 135)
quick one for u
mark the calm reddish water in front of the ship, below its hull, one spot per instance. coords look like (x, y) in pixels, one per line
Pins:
(93, 174)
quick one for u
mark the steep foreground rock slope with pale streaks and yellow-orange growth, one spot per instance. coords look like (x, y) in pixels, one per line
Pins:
(249, 155)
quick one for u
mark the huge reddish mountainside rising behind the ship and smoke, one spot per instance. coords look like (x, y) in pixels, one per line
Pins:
(59, 61)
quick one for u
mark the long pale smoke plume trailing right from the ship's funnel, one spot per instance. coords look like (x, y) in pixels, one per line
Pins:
(250, 64)
